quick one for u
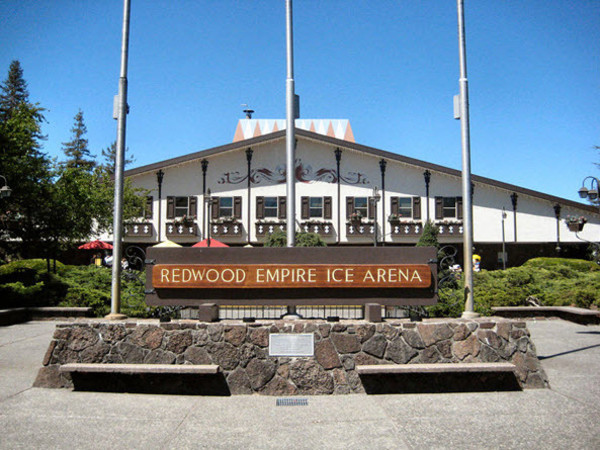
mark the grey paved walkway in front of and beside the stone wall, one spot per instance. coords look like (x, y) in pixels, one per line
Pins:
(565, 416)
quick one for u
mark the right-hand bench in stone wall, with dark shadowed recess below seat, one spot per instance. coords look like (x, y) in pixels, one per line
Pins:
(439, 377)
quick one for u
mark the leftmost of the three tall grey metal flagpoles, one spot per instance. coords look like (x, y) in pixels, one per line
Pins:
(115, 302)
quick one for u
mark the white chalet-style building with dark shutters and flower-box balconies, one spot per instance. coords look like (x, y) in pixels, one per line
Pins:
(336, 178)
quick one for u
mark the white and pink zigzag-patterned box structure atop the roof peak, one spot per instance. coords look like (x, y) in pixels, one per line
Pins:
(336, 128)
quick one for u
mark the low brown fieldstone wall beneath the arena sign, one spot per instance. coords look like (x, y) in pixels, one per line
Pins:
(241, 350)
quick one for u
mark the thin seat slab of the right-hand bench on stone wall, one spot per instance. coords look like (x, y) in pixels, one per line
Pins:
(382, 369)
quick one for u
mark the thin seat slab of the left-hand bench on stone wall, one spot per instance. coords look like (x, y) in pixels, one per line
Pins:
(206, 369)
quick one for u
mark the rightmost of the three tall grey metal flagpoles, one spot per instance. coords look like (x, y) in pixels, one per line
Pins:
(466, 167)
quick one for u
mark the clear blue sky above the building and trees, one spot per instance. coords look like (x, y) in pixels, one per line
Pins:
(390, 67)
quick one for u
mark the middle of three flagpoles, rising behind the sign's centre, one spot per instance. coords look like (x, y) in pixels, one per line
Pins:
(290, 134)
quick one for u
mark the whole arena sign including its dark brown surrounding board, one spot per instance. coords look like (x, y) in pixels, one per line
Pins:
(291, 276)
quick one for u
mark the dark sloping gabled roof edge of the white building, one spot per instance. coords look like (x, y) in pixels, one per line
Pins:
(343, 144)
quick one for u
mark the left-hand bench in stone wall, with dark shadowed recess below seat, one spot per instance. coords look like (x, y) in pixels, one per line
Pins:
(147, 378)
